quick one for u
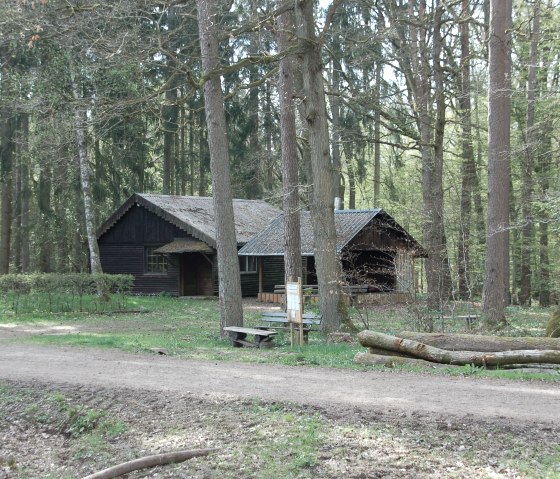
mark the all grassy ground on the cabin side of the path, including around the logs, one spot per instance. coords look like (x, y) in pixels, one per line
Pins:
(189, 328)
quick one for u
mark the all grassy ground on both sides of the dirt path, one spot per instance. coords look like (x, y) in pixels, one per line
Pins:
(67, 433)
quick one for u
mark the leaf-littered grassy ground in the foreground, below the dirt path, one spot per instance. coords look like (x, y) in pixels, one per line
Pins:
(68, 433)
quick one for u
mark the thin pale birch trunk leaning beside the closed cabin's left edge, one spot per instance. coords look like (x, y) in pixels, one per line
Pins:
(83, 166)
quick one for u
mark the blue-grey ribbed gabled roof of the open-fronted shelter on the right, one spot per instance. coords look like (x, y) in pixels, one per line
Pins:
(348, 223)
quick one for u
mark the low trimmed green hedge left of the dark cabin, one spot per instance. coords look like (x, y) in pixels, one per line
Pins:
(53, 292)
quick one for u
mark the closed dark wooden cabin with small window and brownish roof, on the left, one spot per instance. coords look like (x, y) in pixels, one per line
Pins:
(168, 243)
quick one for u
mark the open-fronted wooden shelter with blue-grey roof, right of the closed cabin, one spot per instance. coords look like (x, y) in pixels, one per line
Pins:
(374, 250)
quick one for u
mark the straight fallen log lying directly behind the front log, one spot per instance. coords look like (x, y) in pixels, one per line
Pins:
(473, 342)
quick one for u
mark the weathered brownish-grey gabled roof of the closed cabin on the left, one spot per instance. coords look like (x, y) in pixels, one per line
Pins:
(195, 215)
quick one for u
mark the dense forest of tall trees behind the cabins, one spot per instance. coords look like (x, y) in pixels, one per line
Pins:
(114, 89)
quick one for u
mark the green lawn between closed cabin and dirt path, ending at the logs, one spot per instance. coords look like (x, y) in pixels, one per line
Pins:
(186, 328)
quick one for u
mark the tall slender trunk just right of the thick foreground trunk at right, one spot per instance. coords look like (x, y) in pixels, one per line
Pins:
(528, 164)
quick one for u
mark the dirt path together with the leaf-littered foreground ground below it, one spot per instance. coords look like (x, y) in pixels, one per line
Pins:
(66, 412)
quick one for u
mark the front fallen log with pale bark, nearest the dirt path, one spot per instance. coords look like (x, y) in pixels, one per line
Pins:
(437, 355)
